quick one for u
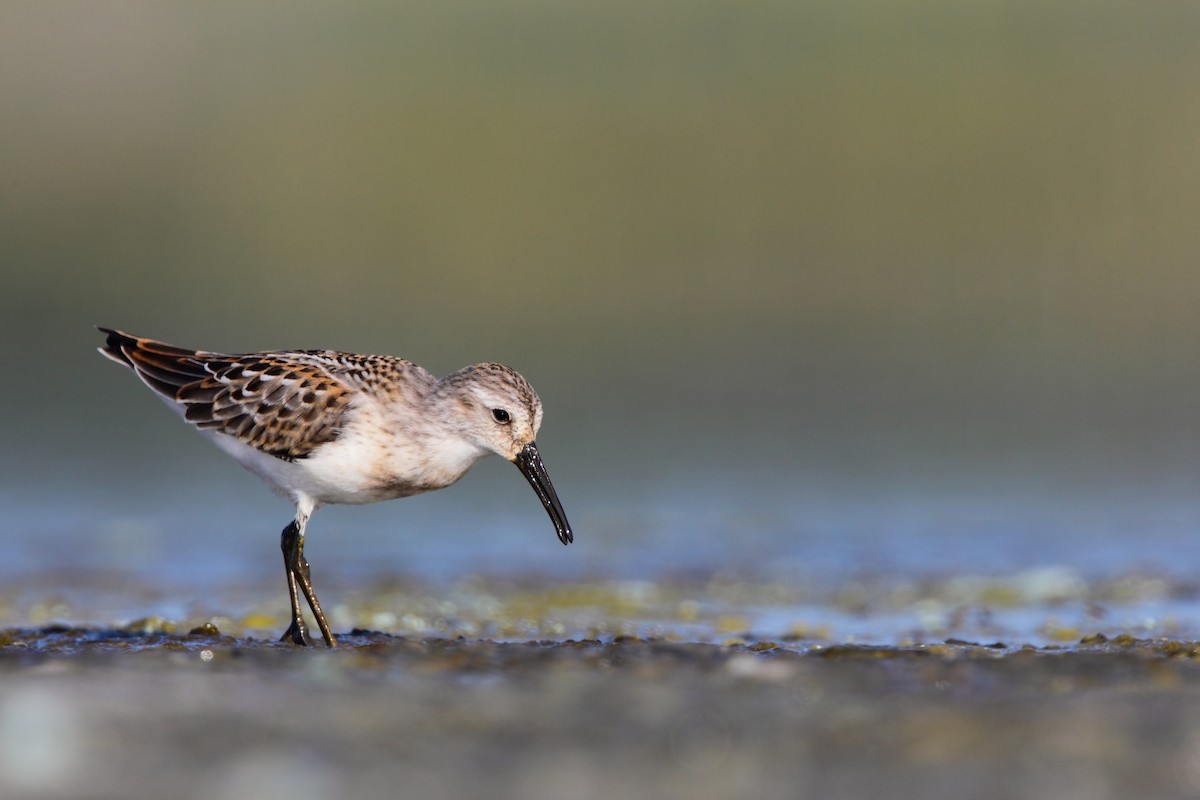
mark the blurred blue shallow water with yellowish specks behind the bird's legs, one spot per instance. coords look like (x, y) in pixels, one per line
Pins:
(826, 569)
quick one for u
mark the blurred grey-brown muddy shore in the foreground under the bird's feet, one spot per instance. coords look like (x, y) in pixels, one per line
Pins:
(101, 713)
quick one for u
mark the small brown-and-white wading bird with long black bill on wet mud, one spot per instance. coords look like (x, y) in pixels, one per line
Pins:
(326, 428)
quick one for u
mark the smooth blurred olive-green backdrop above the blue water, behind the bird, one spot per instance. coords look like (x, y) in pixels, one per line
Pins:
(752, 255)
